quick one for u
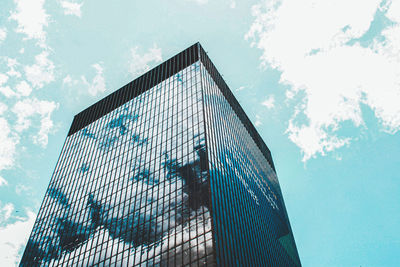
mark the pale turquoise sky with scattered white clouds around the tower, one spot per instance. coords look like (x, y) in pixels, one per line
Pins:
(320, 80)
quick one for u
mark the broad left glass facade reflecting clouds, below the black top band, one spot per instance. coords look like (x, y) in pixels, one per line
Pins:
(131, 187)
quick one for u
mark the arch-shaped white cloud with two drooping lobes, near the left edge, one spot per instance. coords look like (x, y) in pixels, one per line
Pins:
(25, 109)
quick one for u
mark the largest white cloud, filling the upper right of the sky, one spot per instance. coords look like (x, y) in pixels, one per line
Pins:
(315, 57)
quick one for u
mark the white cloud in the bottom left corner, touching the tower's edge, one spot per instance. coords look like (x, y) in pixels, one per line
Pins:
(13, 238)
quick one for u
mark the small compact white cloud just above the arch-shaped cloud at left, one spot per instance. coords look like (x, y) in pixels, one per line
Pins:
(41, 72)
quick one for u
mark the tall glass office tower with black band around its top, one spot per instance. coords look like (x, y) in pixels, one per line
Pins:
(166, 171)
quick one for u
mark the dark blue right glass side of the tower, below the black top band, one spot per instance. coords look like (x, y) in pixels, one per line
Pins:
(250, 221)
